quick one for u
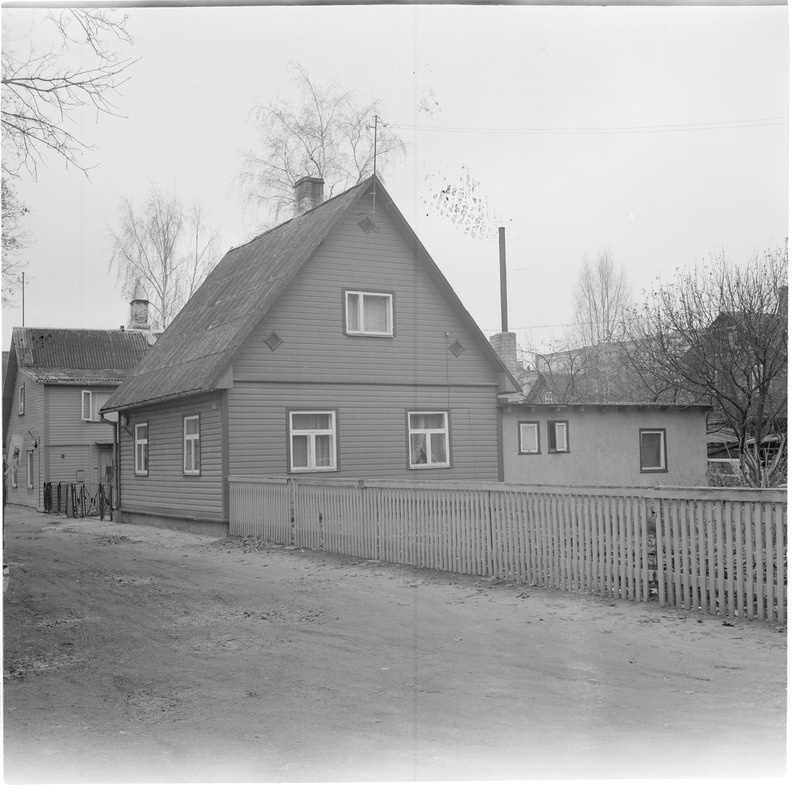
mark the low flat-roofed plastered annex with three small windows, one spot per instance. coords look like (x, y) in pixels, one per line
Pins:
(547, 440)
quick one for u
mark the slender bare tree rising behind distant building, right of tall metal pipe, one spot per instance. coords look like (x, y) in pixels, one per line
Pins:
(602, 295)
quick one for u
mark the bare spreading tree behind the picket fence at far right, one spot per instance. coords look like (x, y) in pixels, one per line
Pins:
(719, 333)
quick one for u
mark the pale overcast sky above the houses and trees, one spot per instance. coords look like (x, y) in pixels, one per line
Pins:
(658, 133)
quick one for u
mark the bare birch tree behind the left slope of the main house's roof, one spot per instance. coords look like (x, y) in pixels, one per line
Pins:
(165, 247)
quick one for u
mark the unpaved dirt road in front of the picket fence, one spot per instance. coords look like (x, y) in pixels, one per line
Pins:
(136, 654)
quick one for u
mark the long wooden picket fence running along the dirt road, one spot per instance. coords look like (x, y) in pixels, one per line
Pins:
(721, 551)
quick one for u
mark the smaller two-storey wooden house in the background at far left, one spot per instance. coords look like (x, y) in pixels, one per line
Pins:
(55, 383)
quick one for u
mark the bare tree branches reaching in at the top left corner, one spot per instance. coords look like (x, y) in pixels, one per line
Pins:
(42, 92)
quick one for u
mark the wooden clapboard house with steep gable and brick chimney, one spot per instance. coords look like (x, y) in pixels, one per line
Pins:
(329, 346)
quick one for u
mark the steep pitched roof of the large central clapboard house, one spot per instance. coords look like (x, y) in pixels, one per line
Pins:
(199, 346)
